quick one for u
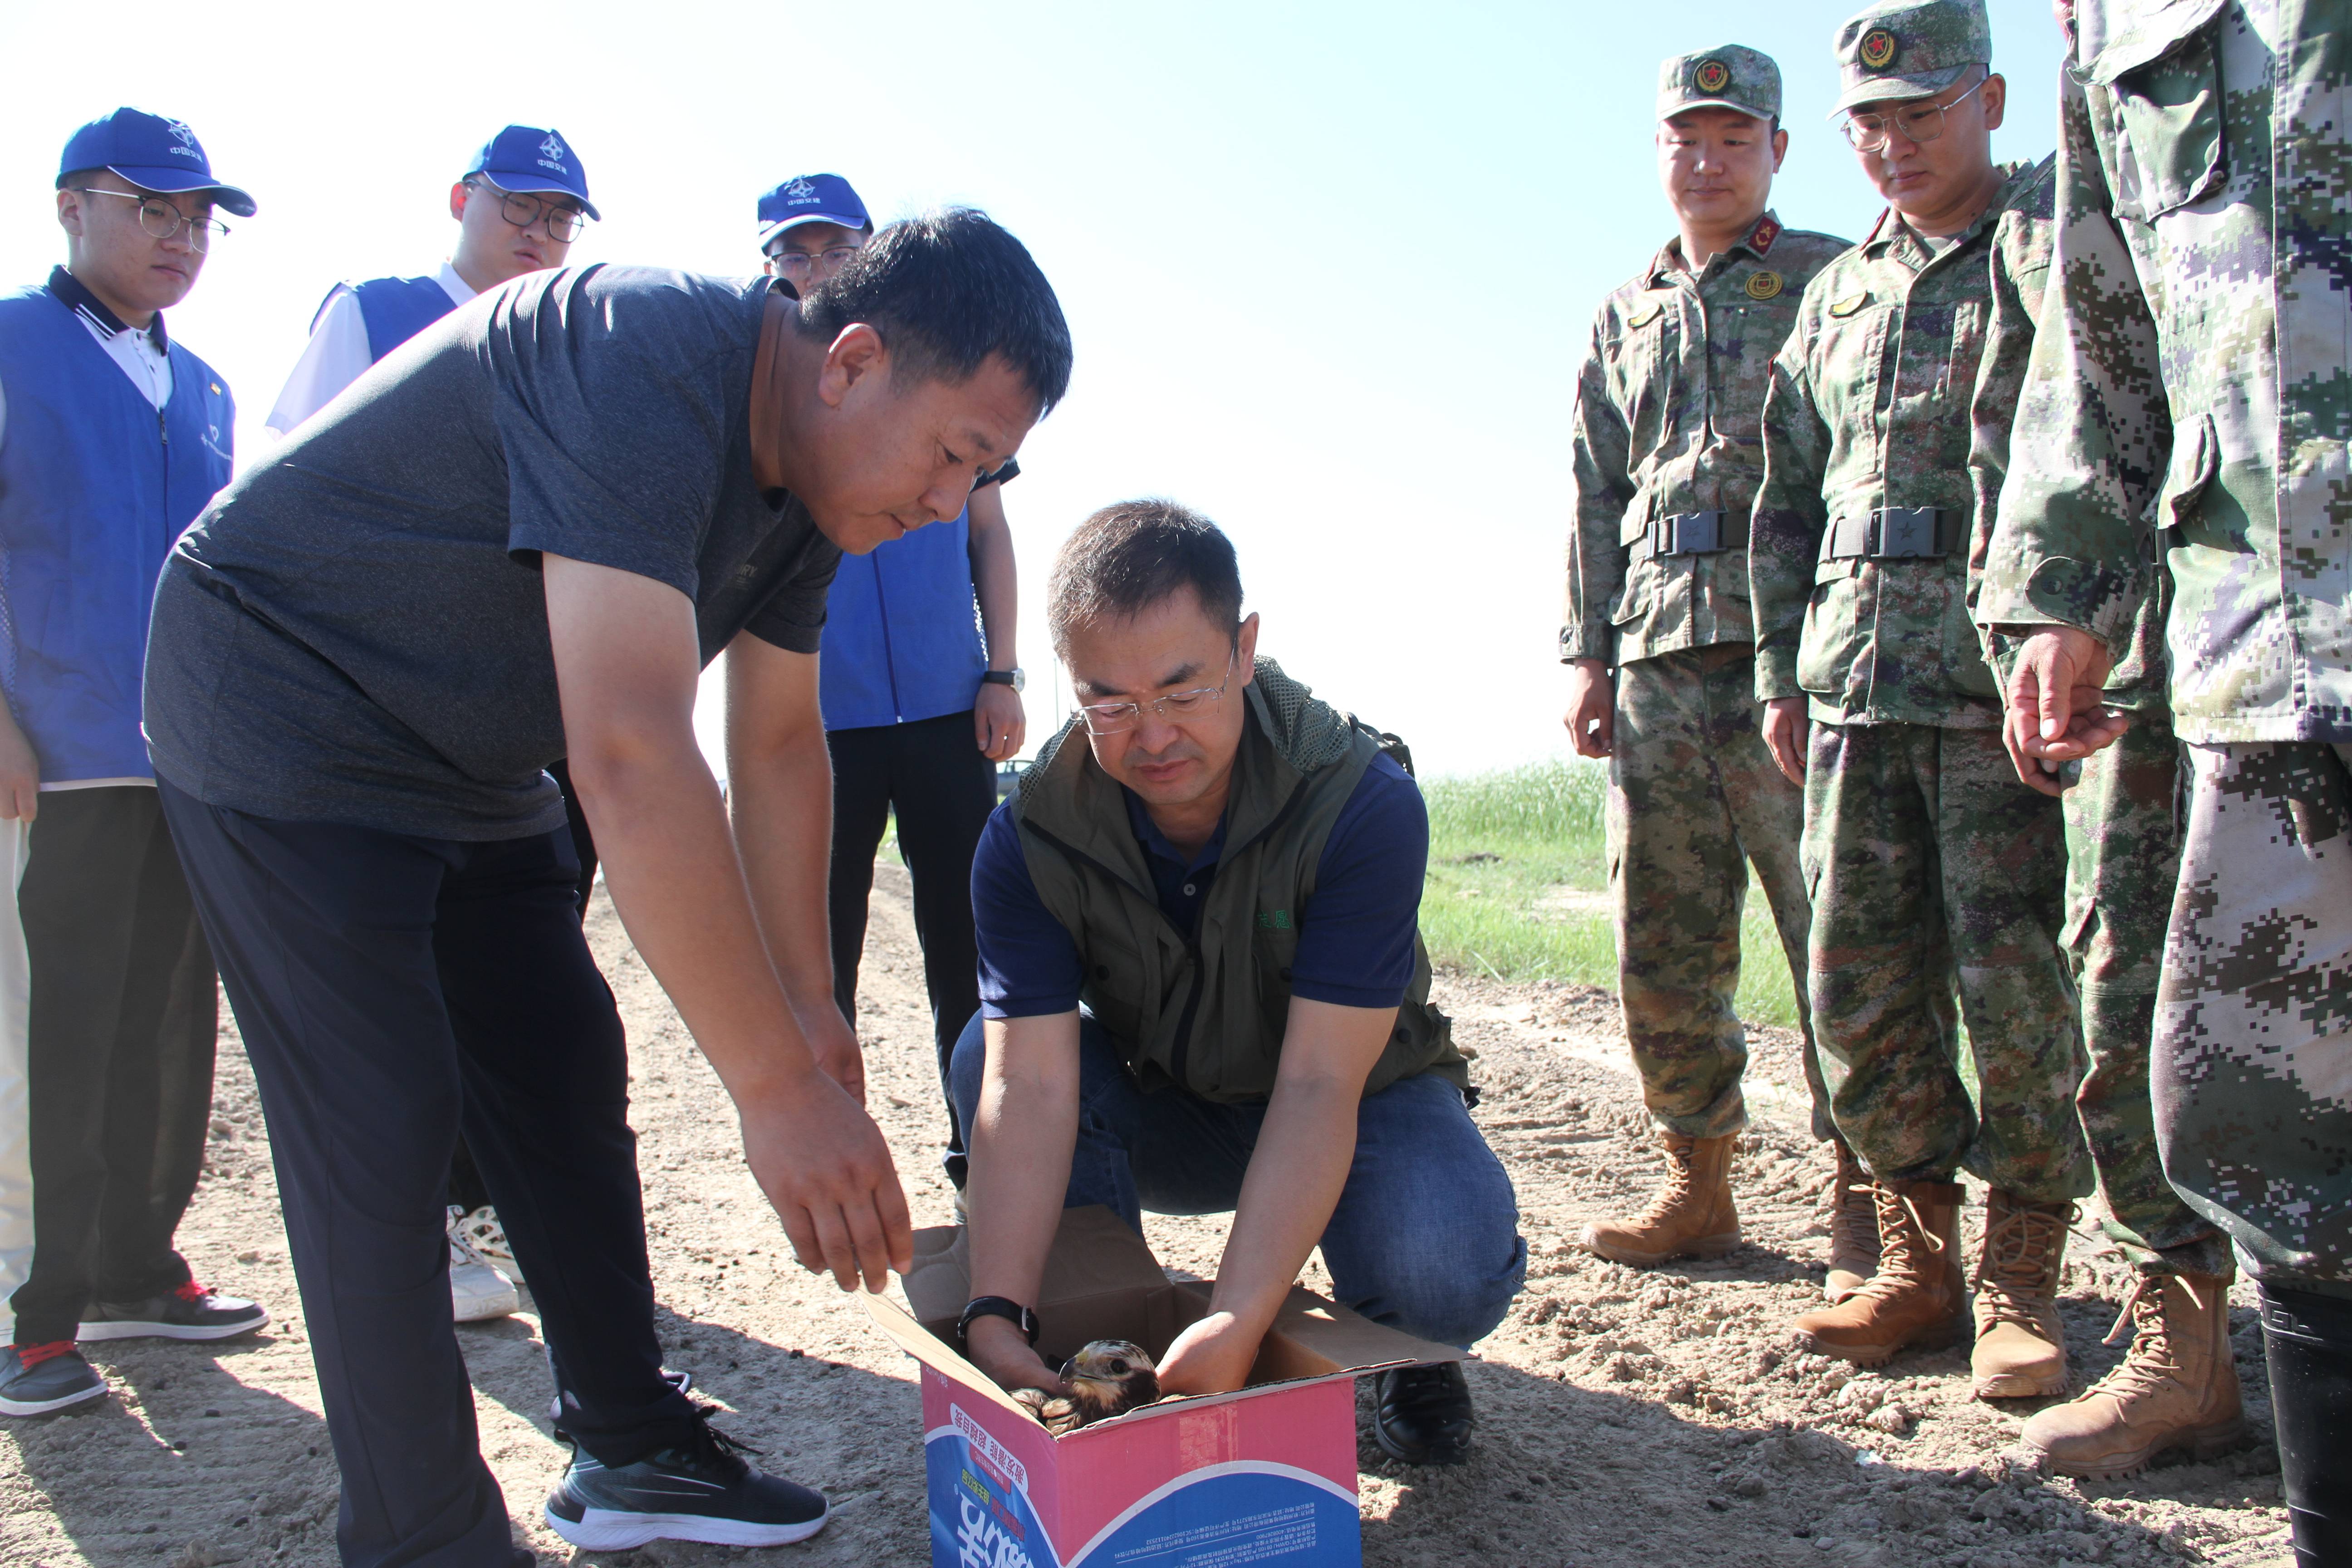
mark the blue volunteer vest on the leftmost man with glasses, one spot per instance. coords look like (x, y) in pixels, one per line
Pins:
(95, 485)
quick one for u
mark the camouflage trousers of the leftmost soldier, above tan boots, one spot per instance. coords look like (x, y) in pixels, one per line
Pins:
(1695, 798)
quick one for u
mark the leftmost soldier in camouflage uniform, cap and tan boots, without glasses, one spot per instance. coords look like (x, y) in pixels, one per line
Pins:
(1666, 460)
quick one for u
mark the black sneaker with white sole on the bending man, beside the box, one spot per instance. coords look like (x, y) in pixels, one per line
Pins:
(700, 1492)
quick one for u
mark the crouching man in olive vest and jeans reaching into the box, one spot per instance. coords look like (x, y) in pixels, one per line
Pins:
(1203, 989)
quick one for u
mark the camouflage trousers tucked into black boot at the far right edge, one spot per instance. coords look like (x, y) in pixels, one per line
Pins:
(2254, 1019)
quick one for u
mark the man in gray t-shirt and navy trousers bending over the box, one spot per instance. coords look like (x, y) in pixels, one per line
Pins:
(521, 537)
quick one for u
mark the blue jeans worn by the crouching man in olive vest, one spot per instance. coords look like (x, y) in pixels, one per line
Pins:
(1424, 1238)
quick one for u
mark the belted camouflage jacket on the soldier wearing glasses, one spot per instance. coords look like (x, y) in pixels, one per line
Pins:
(1866, 424)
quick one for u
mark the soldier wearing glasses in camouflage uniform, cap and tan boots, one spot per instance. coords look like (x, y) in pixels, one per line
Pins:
(1930, 864)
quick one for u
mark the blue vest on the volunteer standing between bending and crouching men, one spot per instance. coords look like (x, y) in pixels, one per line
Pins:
(902, 631)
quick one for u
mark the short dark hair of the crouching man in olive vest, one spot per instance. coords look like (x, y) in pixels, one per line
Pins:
(1132, 556)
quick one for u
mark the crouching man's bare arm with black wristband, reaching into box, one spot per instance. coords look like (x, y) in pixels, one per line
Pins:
(1022, 1144)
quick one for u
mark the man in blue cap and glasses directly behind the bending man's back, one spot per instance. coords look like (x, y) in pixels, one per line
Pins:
(519, 206)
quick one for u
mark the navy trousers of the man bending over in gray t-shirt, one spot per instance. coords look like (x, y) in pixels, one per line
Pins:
(392, 991)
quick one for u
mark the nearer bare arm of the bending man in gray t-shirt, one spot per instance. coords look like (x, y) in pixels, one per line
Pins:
(627, 664)
